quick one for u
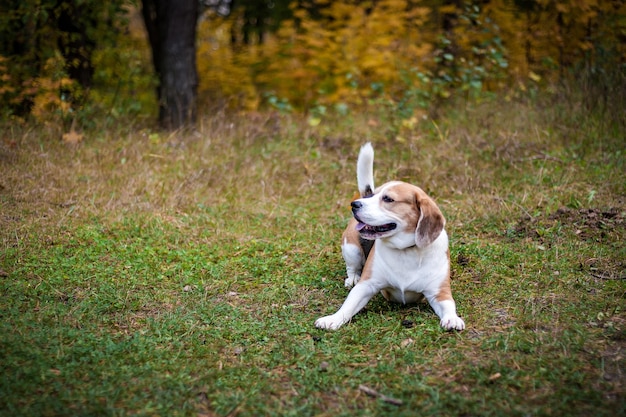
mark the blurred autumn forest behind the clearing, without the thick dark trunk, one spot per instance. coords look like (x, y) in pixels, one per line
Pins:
(63, 62)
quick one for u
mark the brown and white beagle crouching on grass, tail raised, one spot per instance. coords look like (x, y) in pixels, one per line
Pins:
(395, 244)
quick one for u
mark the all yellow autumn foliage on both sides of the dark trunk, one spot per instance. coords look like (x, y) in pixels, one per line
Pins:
(410, 53)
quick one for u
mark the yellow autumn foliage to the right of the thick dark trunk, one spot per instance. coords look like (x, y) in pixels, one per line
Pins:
(359, 50)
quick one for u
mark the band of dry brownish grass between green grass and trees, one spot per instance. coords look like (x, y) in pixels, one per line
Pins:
(267, 158)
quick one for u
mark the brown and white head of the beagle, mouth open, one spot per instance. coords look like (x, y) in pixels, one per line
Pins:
(401, 213)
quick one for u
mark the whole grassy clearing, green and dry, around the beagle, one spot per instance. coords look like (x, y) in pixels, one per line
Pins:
(145, 273)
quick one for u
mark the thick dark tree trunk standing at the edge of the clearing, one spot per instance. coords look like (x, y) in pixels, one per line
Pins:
(171, 26)
